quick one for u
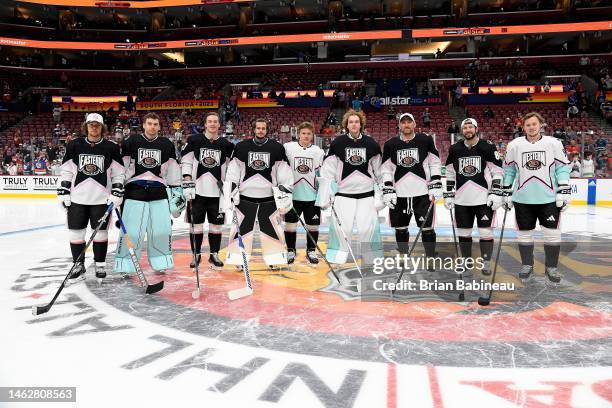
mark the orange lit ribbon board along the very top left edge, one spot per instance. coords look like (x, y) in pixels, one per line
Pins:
(131, 4)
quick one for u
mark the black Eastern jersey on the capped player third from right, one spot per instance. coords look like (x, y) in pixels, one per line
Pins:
(411, 165)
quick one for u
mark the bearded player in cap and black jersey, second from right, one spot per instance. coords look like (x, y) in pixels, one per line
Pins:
(474, 189)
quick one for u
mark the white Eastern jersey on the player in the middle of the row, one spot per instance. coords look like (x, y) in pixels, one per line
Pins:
(305, 163)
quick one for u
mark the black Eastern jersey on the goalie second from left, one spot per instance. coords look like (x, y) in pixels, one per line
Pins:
(150, 163)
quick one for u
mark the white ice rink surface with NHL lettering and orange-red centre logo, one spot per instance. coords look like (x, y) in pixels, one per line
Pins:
(302, 340)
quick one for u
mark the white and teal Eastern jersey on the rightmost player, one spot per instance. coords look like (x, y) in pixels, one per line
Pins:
(537, 169)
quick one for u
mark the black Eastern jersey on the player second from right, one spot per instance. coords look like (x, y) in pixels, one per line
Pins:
(473, 169)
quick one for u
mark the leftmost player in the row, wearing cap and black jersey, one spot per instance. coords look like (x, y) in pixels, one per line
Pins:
(91, 178)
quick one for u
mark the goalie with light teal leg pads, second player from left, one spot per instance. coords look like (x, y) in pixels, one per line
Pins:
(152, 193)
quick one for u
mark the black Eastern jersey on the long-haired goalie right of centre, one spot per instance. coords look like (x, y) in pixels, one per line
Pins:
(353, 164)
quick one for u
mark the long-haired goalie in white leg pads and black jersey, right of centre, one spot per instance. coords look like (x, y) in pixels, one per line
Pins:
(349, 174)
